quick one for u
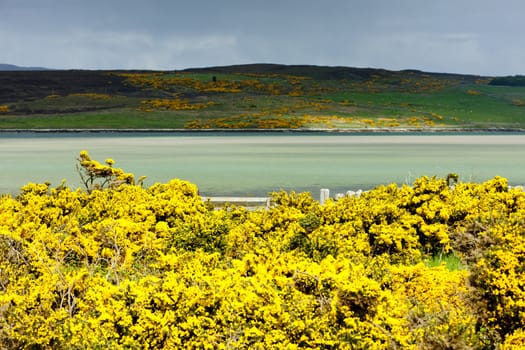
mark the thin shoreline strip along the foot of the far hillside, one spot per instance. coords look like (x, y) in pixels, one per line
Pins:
(301, 130)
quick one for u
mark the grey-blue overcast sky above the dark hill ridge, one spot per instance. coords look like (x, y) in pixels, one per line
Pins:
(484, 37)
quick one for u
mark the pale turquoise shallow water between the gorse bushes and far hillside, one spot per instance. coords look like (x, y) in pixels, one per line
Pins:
(258, 163)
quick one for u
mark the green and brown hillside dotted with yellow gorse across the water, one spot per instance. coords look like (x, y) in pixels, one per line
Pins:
(257, 96)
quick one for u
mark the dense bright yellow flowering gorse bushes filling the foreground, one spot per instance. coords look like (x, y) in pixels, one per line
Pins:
(115, 265)
